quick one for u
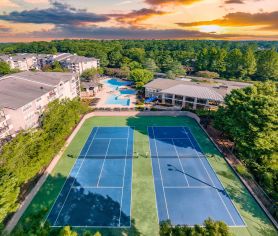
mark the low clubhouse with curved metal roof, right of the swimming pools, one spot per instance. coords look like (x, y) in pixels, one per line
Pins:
(201, 94)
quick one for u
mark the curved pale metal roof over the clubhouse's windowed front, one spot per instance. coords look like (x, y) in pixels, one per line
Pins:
(194, 91)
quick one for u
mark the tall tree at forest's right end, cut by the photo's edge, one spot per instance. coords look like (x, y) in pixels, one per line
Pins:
(267, 65)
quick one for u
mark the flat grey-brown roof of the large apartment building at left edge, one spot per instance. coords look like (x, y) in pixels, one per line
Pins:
(19, 89)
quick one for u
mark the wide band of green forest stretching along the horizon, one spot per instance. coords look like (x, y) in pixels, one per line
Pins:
(230, 60)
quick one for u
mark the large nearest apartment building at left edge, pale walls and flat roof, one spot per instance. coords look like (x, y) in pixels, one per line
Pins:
(25, 95)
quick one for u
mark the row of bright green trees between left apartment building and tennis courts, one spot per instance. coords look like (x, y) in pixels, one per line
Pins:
(30, 151)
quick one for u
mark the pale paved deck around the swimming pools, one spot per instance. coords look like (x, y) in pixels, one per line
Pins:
(107, 91)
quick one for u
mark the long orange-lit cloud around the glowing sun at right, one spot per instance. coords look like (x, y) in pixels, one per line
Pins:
(265, 20)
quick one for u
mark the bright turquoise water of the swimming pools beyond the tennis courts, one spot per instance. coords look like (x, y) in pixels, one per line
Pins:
(113, 99)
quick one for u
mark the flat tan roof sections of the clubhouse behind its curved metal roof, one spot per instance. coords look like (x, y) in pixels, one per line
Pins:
(222, 87)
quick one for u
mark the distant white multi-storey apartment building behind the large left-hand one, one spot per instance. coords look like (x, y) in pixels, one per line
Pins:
(76, 64)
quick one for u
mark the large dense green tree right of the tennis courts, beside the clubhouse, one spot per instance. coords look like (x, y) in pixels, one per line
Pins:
(249, 117)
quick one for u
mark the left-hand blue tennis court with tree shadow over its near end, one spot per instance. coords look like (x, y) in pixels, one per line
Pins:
(97, 192)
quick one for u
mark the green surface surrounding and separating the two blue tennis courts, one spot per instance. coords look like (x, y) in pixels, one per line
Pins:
(144, 213)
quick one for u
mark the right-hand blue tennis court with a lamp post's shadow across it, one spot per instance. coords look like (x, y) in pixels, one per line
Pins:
(187, 188)
